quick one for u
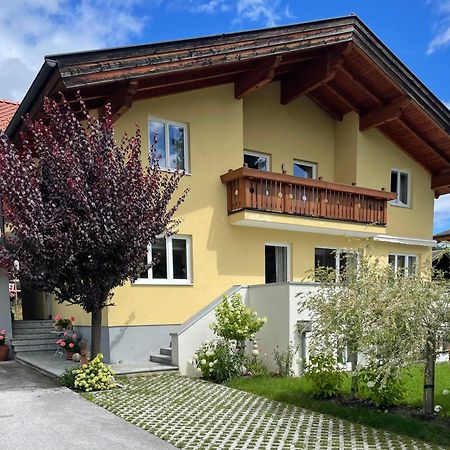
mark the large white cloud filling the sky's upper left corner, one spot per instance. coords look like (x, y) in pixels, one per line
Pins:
(31, 29)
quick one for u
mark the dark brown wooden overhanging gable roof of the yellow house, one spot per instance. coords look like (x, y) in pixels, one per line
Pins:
(339, 63)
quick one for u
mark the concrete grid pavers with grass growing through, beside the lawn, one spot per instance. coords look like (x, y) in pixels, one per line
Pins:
(193, 414)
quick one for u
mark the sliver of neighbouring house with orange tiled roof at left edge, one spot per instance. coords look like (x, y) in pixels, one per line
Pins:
(7, 110)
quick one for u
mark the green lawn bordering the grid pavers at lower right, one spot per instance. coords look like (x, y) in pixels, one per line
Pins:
(296, 391)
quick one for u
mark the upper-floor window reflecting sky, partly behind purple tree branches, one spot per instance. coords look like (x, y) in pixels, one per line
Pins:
(170, 142)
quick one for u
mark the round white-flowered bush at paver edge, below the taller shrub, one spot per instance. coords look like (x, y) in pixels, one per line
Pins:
(218, 361)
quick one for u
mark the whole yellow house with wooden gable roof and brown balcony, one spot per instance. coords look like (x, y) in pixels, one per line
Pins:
(296, 141)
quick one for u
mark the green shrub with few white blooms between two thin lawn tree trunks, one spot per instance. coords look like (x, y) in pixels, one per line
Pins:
(382, 385)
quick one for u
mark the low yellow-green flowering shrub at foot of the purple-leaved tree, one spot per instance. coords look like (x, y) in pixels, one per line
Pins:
(94, 376)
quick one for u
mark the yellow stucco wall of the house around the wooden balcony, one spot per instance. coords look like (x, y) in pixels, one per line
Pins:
(220, 127)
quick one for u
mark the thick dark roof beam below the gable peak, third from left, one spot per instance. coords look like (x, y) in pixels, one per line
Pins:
(309, 78)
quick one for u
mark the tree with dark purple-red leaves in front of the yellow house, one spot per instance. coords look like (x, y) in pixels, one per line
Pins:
(81, 207)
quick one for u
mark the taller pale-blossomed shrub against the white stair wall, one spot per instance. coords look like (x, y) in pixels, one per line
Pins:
(234, 321)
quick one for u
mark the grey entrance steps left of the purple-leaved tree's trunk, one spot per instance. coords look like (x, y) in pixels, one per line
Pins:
(33, 336)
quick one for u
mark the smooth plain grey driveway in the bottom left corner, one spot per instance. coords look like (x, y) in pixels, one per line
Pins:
(35, 412)
